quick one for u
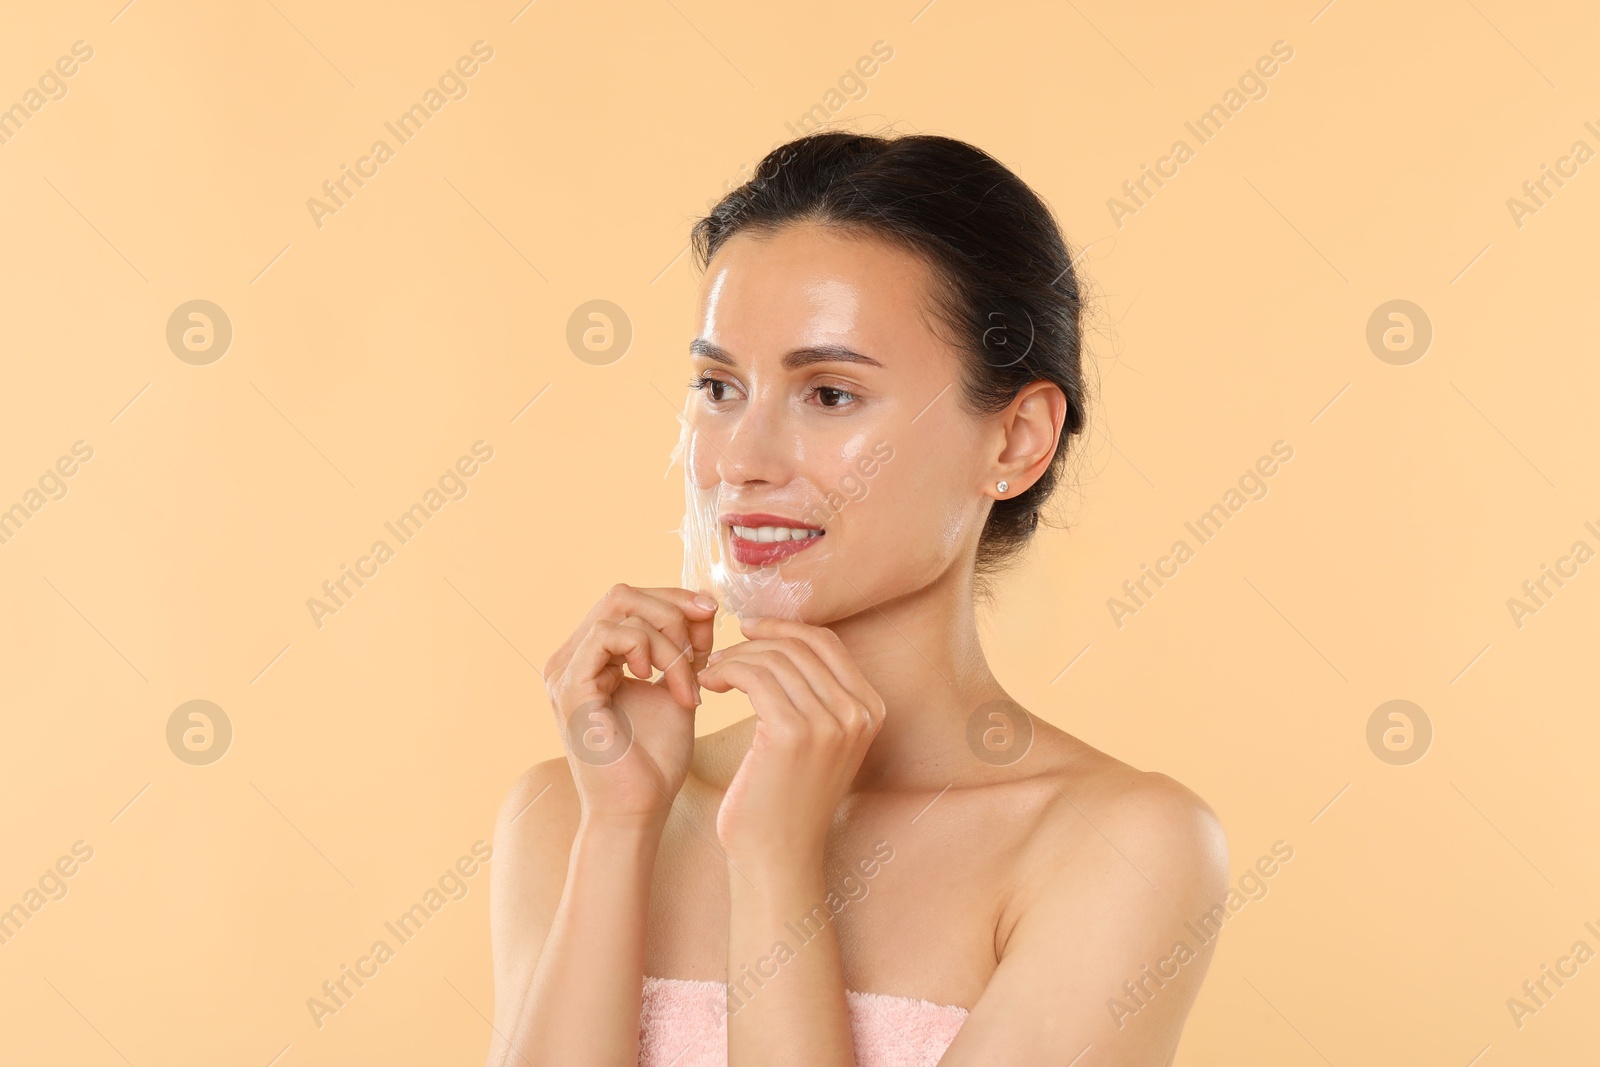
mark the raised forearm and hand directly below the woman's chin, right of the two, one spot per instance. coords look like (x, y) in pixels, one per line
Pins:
(817, 717)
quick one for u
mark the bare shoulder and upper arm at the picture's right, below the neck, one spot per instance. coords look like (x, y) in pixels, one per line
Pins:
(1118, 989)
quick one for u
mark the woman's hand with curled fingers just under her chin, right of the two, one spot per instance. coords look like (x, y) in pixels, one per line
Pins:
(815, 719)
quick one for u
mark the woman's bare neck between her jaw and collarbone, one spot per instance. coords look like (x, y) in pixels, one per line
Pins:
(924, 658)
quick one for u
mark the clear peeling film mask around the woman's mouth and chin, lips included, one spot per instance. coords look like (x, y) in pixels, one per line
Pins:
(750, 575)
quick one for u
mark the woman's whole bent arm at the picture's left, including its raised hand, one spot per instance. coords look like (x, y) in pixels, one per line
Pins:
(569, 948)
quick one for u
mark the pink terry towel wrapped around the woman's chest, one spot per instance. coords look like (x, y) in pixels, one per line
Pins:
(684, 1025)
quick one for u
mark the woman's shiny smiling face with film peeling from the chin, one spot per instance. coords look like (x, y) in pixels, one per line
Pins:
(831, 466)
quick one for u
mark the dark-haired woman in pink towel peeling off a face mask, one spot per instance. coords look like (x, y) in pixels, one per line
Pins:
(890, 861)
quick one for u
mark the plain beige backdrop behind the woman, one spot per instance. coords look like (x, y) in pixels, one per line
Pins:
(374, 351)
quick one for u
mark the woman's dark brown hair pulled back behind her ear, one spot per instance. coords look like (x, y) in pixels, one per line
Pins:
(1006, 282)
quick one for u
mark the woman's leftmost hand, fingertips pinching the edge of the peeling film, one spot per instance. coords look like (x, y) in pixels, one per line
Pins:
(630, 741)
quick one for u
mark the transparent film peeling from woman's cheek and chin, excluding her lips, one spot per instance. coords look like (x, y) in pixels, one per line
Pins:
(745, 591)
